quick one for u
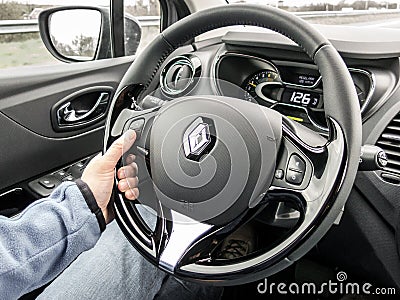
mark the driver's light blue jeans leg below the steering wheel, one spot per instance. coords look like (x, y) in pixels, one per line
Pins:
(113, 269)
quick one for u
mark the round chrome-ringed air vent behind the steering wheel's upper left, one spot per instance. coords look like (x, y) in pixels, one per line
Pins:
(179, 74)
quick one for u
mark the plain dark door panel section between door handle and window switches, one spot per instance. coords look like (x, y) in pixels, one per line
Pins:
(25, 154)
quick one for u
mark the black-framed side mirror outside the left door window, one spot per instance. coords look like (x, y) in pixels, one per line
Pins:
(82, 33)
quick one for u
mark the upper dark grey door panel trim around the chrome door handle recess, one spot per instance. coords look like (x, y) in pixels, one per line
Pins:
(28, 99)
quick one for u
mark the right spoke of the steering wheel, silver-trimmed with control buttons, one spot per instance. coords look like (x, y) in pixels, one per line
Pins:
(308, 162)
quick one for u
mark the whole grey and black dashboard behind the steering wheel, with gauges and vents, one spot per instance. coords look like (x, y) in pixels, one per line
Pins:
(268, 69)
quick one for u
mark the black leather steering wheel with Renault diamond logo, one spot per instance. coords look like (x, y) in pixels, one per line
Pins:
(209, 164)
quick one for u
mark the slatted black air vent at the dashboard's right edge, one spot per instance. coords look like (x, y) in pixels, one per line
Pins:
(390, 142)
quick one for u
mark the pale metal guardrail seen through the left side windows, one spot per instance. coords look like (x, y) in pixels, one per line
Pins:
(29, 26)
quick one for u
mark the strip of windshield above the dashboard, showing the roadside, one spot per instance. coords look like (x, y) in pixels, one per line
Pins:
(343, 12)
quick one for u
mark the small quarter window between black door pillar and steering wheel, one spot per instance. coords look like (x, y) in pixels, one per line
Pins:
(147, 12)
